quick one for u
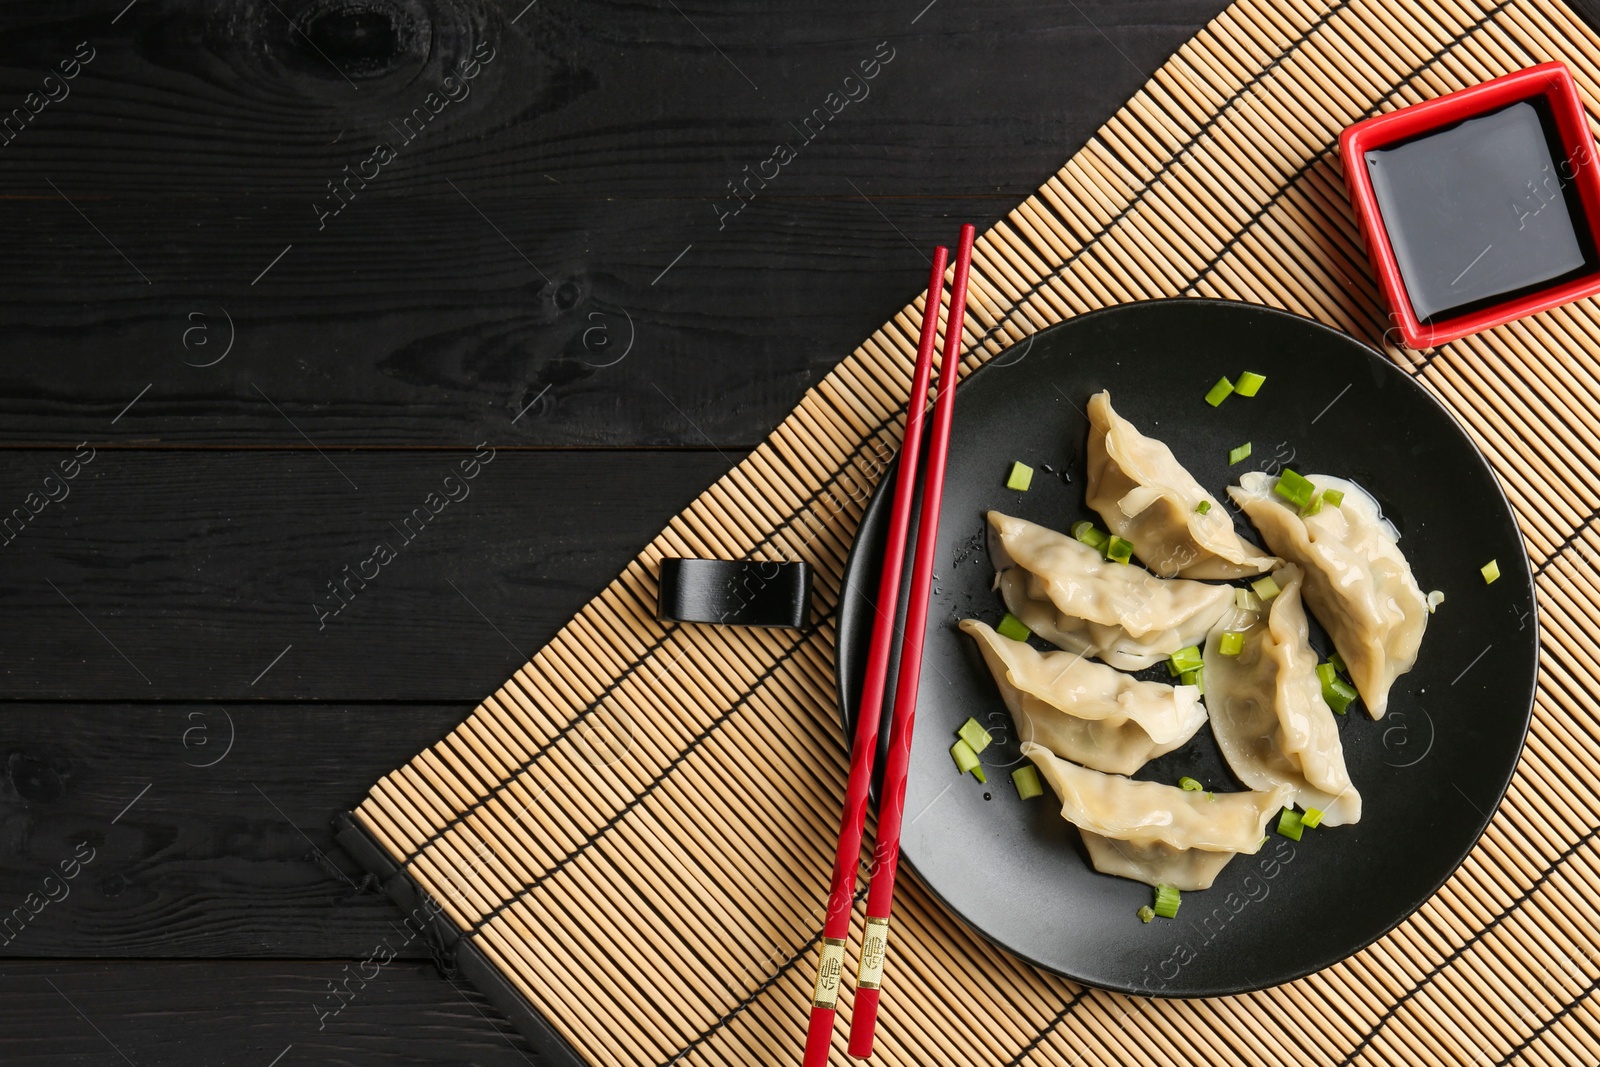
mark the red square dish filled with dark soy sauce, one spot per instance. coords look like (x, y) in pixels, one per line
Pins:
(1479, 207)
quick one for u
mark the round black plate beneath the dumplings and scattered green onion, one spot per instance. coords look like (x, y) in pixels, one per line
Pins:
(1431, 772)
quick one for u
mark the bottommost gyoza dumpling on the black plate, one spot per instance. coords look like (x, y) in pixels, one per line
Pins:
(1153, 833)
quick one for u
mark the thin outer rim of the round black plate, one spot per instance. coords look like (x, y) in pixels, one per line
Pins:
(858, 562)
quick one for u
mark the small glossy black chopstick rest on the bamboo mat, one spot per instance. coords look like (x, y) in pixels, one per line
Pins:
(735, 593)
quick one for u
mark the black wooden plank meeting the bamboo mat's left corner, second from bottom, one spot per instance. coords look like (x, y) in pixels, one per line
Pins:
(196, 829)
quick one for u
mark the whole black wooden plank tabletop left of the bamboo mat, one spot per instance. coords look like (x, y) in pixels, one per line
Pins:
(276, 271)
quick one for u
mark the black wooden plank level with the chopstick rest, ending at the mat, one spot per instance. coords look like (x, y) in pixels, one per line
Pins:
(223, 575)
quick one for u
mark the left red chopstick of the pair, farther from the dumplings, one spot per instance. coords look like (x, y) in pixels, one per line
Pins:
(841, 900)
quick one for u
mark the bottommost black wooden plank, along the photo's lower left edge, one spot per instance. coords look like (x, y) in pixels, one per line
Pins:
(249, 1013)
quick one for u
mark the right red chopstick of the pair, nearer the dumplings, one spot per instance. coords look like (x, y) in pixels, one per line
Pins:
(892, 805)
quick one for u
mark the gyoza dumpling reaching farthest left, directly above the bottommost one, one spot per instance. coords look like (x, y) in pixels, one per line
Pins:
(1086, 711)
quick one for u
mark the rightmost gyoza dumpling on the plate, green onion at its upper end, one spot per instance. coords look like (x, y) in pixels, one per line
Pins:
(1358, 581)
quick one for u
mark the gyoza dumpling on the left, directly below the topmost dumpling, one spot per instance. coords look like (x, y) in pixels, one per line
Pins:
(1073, 597)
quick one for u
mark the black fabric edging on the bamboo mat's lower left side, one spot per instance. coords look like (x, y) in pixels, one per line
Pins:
(454, 951)
